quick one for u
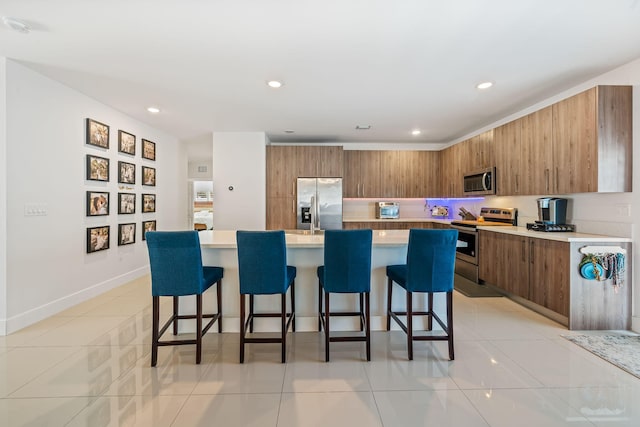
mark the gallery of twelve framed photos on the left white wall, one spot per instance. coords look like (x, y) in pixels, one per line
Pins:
(136, 181)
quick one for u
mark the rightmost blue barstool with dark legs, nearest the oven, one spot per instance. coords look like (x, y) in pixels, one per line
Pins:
(431, 256)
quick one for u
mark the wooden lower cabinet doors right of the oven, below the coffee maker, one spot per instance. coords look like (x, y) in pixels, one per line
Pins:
(535, 269)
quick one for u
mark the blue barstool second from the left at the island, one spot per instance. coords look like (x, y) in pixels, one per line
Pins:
(263, 270)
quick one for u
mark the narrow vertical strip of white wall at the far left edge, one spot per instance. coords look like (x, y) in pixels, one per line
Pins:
(3, 195)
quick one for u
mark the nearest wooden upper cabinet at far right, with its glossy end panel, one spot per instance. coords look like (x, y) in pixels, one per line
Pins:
(592, 141)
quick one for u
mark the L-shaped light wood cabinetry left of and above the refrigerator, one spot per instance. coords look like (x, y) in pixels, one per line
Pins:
(284, 165)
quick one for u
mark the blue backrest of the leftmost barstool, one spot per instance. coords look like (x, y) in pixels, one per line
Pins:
(176, 263)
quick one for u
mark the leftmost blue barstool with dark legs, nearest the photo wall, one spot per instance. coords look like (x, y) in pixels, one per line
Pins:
(176, 270)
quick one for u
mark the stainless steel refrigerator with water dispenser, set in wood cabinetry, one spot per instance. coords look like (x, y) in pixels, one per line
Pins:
(319, 203)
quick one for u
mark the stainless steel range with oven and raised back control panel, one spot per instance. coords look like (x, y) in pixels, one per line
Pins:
(467, 248)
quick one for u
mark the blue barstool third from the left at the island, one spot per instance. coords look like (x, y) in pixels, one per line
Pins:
(346, 269)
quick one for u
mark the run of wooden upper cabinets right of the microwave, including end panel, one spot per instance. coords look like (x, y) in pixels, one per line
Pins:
(579, 145)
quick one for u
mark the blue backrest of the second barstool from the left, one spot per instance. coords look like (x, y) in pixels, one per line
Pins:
(262, 262)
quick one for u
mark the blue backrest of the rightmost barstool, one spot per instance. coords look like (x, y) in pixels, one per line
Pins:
(431, 257)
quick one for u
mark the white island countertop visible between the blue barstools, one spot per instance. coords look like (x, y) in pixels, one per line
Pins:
(226, 239)
